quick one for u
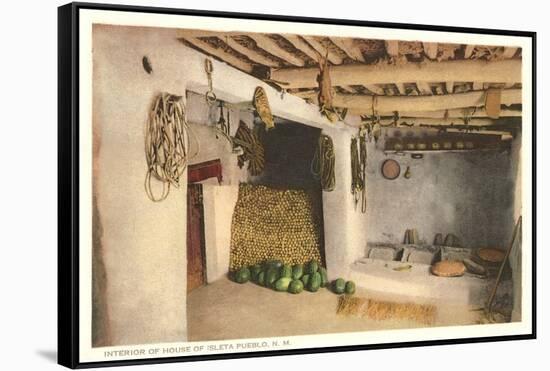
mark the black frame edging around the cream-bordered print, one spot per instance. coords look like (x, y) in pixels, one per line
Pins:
(68, 182)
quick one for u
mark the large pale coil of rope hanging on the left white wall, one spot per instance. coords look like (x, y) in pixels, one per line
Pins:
(166, 144)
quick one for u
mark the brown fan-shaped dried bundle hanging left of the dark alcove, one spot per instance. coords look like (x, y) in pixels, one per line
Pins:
(253, 150)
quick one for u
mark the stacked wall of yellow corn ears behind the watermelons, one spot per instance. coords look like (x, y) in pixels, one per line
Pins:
(274, 224)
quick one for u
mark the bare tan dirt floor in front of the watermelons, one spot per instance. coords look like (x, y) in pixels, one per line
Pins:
(227, 310)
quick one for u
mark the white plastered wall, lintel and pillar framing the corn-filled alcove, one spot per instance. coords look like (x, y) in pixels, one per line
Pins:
(144, 243)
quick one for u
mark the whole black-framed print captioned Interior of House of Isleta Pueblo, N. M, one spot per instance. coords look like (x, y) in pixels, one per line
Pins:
(239, 185)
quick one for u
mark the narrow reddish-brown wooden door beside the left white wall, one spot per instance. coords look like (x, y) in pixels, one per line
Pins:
(196, 256)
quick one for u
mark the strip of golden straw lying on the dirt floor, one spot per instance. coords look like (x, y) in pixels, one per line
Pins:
(384, 310)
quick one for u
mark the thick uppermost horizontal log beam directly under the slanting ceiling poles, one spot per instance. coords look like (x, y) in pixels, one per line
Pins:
(502, 71)
